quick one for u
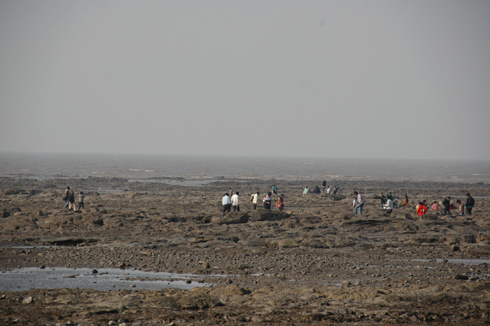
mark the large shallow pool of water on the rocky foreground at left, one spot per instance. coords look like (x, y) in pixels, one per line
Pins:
(103, 279)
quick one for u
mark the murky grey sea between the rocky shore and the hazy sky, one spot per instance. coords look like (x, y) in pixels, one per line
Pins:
(162, 168)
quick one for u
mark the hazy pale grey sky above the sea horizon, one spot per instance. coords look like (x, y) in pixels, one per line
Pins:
(340, 78)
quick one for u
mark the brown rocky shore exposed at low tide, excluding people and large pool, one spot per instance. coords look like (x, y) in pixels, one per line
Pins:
(315, 263)
